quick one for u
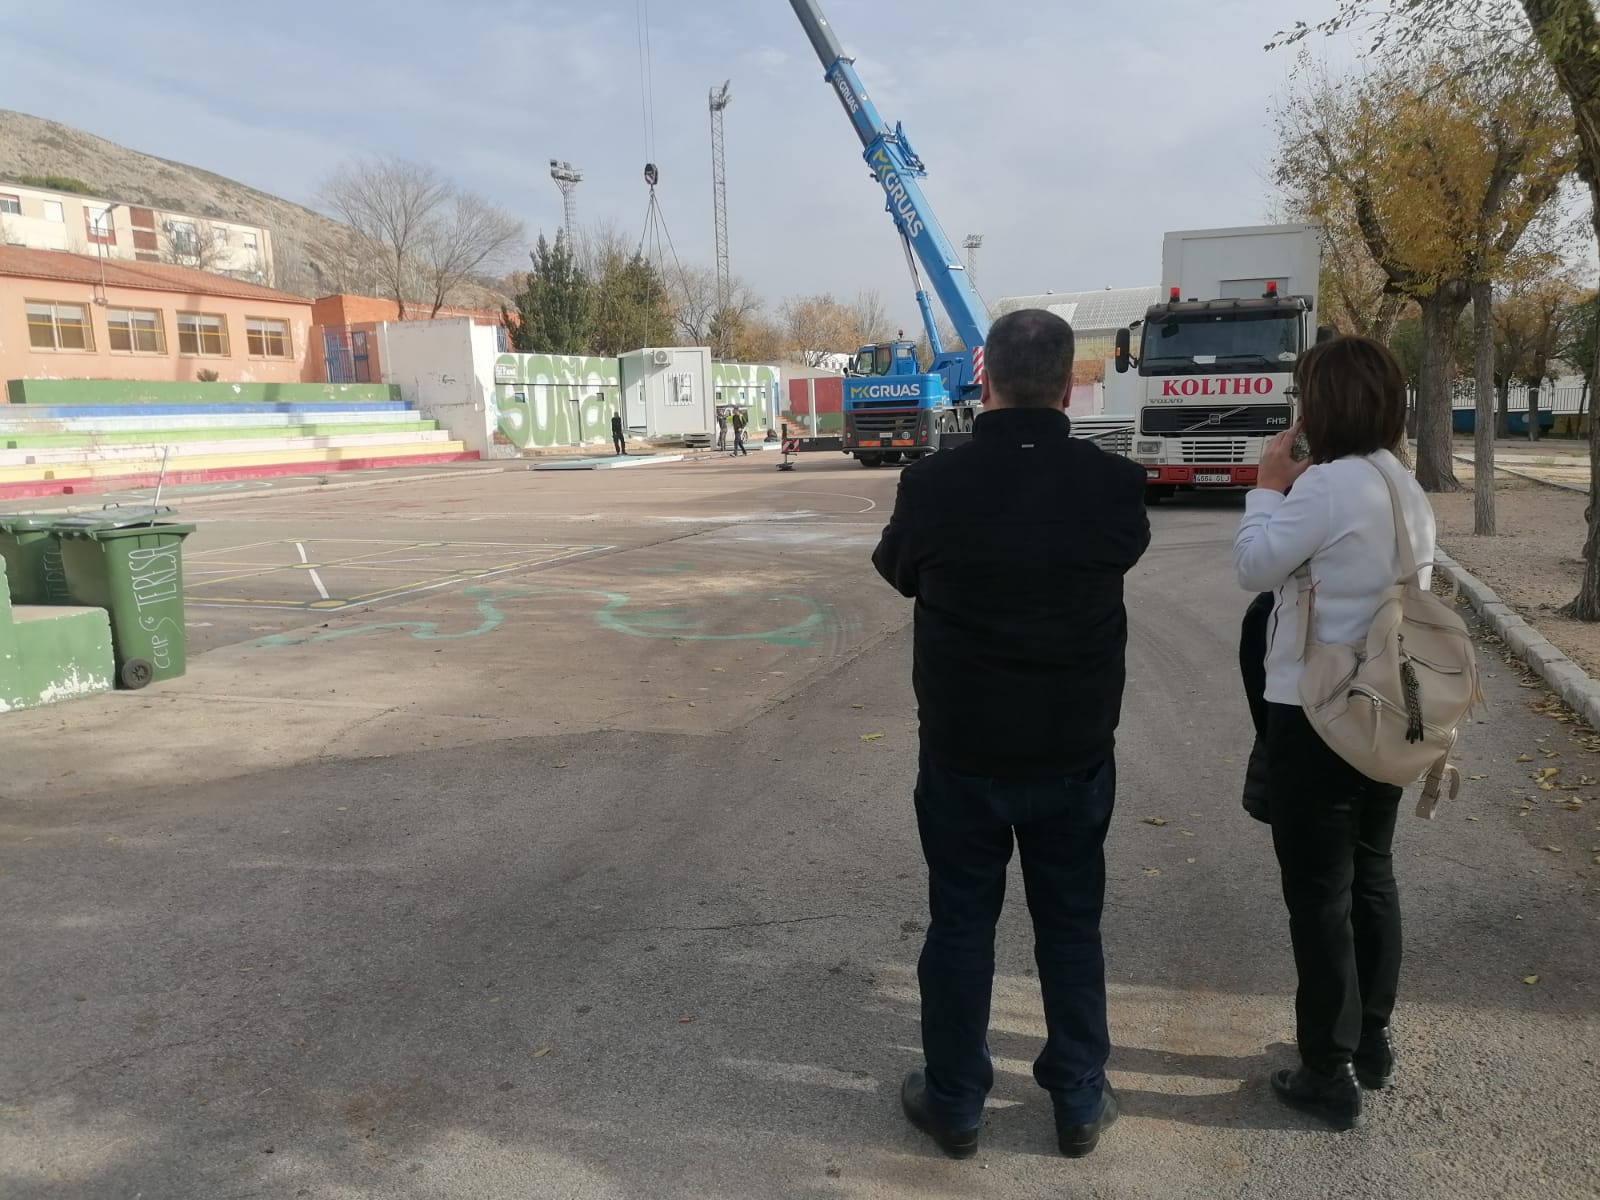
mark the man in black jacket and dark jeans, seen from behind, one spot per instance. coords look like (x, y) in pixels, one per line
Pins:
(1015, 550)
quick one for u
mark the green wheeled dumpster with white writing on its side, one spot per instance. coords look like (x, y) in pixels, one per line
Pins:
(130, 564)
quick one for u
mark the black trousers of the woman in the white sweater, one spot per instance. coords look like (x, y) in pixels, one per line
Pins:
(1334, 831)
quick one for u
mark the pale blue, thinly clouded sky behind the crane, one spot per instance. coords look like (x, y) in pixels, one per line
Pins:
(1068, 134)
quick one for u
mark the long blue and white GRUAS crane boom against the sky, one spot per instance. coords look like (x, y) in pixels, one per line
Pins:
(898, 169)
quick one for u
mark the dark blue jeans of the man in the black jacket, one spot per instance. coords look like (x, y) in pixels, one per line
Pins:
(967, 830)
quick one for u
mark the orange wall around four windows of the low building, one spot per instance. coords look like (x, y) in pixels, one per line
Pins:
(20, 361)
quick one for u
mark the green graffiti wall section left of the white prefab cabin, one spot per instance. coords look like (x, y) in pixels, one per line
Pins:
(556, 401)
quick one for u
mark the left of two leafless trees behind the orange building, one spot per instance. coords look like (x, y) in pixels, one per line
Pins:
(394, 204)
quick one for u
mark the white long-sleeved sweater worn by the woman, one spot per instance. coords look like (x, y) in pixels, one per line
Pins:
(1340, 519)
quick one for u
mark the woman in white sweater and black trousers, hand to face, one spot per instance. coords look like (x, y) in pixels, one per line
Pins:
(1332, 826)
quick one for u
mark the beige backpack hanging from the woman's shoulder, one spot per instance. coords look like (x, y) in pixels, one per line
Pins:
(1390, 705)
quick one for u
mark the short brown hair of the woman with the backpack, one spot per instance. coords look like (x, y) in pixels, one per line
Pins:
(1351, 399)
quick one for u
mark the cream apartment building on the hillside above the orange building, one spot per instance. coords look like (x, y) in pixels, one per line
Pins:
(41, 218)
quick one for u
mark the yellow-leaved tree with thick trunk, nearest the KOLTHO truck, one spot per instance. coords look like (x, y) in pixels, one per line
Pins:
(1441, 172)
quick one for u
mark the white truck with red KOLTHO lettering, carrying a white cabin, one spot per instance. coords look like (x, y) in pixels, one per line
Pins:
(1217, 359)
